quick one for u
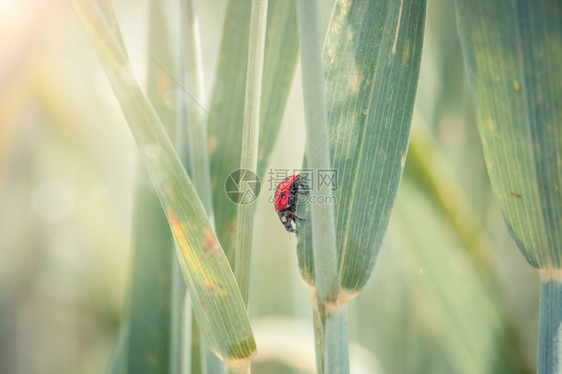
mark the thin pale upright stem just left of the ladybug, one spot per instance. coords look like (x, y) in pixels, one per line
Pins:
(250, 134)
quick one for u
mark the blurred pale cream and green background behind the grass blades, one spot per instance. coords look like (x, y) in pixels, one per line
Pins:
(67, 176)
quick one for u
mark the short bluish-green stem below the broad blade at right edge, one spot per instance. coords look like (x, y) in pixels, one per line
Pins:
(549, 356)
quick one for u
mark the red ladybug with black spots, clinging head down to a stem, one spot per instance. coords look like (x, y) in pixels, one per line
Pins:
(286, 198)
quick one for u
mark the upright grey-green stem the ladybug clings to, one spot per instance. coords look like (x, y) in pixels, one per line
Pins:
(330, 325)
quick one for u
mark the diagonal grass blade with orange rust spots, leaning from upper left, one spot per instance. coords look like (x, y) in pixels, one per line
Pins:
(217, 303)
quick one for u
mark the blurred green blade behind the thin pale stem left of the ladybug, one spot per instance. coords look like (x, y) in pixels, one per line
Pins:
(227, 104)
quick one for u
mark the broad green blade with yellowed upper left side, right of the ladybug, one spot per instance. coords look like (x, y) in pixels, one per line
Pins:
(372, 56)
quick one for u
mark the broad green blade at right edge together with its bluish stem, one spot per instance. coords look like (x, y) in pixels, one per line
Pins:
(513, 51)
